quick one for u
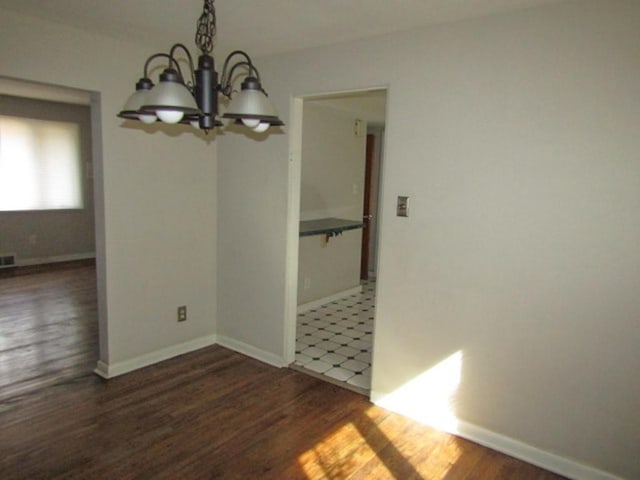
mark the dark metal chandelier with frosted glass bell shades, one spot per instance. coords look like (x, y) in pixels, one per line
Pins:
(195, 102)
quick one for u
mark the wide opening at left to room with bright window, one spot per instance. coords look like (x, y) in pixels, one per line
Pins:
(49, 292)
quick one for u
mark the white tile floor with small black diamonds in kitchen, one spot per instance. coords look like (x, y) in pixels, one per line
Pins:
(335, 340)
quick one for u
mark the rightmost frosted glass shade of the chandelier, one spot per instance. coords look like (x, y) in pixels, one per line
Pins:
(251, 105)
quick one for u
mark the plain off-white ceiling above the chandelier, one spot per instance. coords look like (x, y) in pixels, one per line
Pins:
(262, 27)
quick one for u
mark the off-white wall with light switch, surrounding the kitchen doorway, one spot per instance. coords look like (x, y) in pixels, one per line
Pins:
(515, 137)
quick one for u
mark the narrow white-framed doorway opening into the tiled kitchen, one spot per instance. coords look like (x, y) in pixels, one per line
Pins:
(340, 153)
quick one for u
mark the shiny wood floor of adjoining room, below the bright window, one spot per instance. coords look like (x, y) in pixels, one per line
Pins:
(48, 326)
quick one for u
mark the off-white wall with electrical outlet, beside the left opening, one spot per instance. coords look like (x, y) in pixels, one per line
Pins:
(156, 196)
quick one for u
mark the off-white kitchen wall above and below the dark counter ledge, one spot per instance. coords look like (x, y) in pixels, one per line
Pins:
(332, 185)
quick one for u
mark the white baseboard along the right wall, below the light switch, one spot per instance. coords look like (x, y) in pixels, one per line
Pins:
(549, 461)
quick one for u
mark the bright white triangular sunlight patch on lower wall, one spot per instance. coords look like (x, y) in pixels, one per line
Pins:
(430, 397)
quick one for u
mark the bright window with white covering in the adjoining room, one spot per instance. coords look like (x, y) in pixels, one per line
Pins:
(40, 165)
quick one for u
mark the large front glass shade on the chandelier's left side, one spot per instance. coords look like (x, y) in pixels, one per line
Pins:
(170, 100)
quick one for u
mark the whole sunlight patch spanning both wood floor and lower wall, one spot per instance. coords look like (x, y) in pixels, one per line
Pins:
(428, 399)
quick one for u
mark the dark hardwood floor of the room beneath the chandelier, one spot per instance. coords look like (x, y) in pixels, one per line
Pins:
(218, 414)
